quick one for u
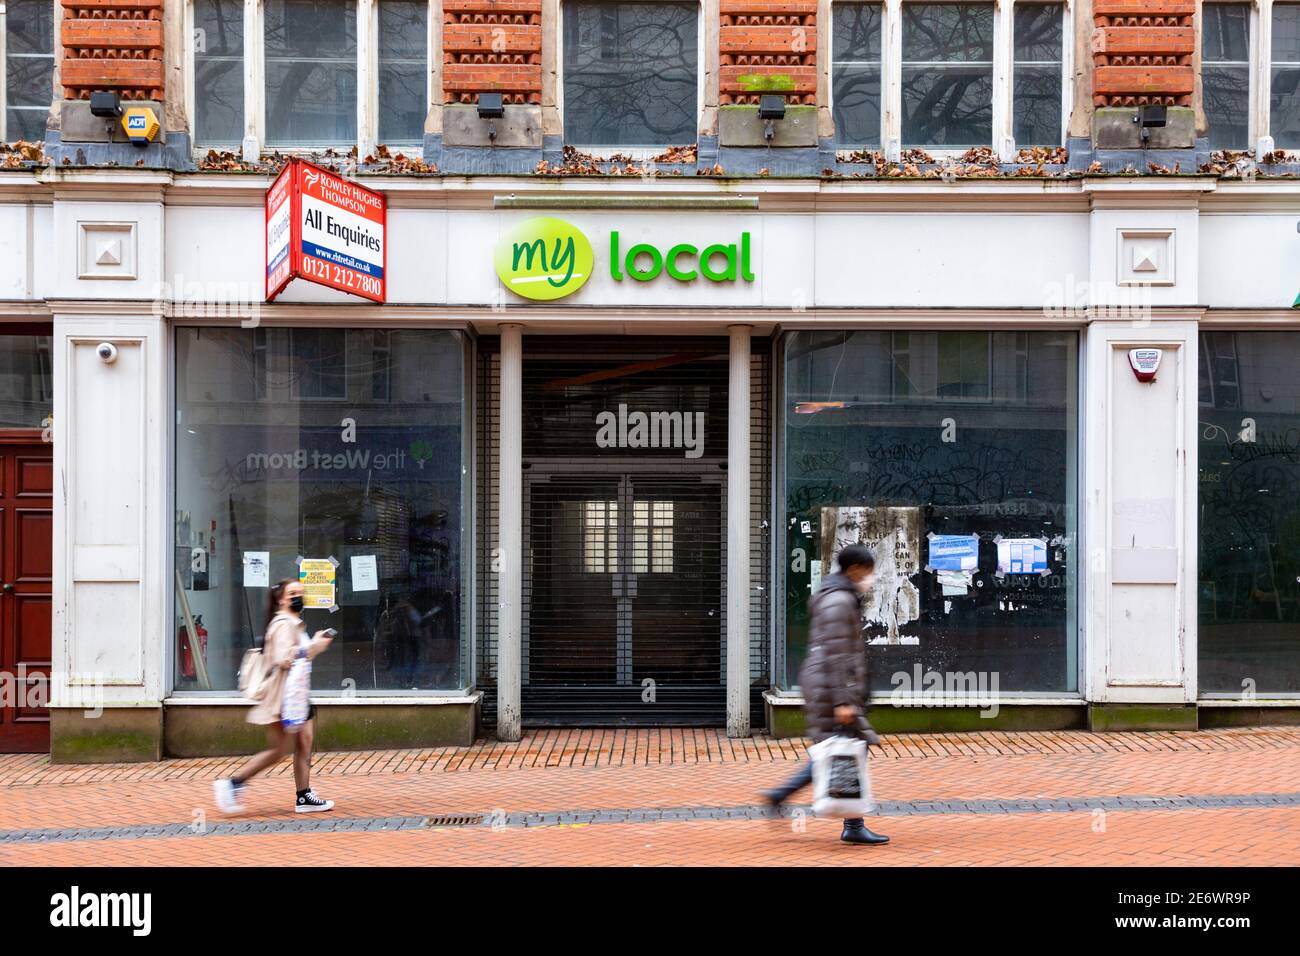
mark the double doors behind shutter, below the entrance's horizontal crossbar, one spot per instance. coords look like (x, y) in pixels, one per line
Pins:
(623, 599)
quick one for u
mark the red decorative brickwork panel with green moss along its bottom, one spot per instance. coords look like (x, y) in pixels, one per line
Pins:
(769, 46)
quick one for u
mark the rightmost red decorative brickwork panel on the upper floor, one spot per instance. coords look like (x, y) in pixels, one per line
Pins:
(1142, 53)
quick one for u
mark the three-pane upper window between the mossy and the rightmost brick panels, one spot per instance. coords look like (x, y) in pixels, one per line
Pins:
(934, 71)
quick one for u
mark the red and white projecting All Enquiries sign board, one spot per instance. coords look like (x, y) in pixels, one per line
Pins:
(328, 231)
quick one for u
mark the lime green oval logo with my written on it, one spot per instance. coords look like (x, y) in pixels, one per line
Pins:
(544, 259)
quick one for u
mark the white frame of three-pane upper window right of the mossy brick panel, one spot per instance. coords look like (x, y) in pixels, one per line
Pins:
(1002, 135)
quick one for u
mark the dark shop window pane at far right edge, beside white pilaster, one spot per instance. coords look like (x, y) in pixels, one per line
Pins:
(1249, 589)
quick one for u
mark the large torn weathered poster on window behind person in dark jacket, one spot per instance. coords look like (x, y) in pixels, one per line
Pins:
(894, 537)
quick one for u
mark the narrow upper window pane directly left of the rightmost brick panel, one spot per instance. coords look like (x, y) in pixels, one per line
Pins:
(1038, 76)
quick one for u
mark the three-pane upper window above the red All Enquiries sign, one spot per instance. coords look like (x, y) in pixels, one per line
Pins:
(314, 92)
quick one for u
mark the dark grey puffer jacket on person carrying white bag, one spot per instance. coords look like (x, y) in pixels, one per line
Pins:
(835, 671)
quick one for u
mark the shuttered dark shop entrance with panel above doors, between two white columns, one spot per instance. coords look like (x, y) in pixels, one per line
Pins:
(625, 491)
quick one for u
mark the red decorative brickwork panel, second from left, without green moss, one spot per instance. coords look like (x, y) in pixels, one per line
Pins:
(492, 46)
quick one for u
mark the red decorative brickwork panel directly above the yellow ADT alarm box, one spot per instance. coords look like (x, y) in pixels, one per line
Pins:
(112, 45)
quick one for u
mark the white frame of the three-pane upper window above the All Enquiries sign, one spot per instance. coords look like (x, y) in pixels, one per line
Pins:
(255, 76)
